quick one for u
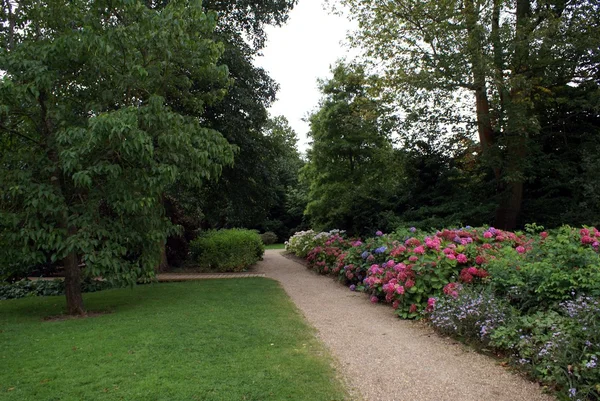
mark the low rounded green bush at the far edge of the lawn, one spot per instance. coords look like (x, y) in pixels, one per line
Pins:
(231, 250)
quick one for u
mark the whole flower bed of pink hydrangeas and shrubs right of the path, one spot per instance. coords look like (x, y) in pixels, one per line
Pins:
(532, 296)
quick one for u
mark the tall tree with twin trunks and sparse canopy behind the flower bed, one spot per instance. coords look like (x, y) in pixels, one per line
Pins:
(509, 56)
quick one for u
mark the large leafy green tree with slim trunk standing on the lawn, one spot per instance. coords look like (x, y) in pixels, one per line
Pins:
(90, 142)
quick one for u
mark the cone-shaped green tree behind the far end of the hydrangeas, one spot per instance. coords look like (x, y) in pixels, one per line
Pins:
(352, 169)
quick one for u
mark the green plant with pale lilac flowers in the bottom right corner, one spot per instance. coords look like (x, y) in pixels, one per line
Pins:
(558, 347)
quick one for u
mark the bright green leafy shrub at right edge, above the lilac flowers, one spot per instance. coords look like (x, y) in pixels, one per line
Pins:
(553, 270)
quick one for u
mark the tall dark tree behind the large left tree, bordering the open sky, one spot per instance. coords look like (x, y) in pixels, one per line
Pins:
(246, 191)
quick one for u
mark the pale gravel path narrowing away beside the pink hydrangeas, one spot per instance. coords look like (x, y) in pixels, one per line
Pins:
(383, 358)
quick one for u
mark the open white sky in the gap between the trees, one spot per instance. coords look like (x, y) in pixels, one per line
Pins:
(299, 53)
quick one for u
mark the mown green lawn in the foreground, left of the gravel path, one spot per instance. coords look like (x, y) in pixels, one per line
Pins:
(204, 340)
